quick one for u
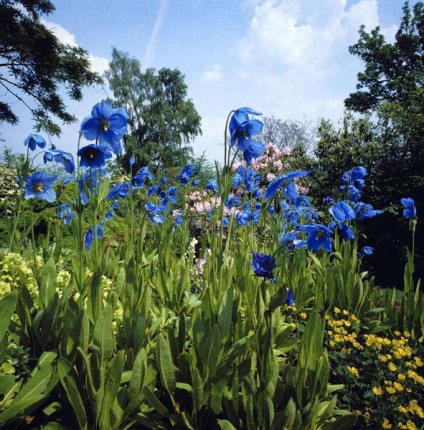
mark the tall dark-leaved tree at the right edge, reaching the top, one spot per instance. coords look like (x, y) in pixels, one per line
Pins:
(391, 88)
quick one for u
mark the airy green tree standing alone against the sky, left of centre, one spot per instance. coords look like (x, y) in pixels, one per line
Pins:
(162, 120)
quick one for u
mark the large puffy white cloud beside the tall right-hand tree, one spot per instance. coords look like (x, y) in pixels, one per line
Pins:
(295, 54)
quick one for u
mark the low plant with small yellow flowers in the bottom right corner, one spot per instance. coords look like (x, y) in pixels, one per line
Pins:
(383, 373)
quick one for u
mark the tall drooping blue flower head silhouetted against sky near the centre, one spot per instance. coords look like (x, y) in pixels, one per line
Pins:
(242, 128)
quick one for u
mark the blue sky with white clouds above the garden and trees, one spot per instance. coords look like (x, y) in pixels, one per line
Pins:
(286, 58)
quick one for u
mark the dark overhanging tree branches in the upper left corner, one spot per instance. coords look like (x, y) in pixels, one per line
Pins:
(34, 66)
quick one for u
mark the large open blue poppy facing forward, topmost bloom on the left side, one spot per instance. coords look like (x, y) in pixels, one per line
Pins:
(107, 125)
